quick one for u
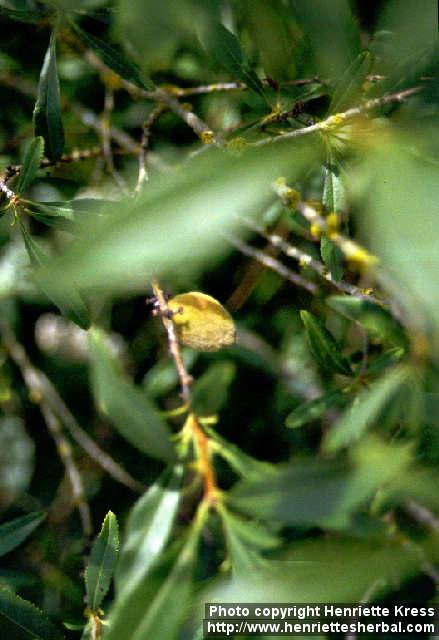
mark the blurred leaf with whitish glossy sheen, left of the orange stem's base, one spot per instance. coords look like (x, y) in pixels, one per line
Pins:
(148, 529)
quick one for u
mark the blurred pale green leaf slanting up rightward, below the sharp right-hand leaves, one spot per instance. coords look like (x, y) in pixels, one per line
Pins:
(364, 411)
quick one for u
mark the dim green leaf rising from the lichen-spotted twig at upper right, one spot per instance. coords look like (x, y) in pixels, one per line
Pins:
(348, 89)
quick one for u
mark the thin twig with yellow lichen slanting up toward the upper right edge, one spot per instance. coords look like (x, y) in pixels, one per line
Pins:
(334, 121)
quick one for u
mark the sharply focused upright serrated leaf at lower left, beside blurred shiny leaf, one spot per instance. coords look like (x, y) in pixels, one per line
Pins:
(102, 562)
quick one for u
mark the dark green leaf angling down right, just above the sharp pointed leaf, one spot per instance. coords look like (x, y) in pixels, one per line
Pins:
(377, 321)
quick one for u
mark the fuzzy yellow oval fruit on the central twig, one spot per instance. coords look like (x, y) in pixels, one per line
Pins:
(202, 322)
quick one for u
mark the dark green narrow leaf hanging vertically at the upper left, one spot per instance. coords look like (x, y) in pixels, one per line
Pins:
(47, 112)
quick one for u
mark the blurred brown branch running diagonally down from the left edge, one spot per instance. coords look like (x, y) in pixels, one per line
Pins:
(38, 382)
